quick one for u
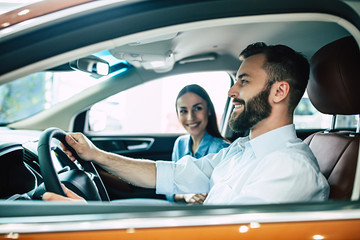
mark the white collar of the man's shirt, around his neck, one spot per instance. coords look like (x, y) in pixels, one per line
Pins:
(273, 140)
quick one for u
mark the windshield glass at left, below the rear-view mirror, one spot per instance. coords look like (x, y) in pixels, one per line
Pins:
(39, 91)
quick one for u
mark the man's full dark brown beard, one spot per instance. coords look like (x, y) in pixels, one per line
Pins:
(256, 109)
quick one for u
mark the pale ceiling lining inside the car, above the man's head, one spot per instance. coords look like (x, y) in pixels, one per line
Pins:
(162, 52)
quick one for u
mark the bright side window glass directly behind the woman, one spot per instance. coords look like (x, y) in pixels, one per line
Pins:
(150, 107)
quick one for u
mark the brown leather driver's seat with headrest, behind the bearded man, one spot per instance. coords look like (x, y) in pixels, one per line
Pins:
(334, 88)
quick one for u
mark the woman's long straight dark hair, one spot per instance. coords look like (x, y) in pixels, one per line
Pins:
(212, 127)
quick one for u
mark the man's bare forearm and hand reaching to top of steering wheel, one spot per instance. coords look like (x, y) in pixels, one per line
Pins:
(136, 171)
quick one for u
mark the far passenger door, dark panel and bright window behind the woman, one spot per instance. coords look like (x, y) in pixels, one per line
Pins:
(141, 122)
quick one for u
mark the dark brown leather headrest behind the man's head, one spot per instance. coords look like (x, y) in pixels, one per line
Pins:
(334, 84)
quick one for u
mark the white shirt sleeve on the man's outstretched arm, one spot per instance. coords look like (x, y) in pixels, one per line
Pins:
(188, 175)
